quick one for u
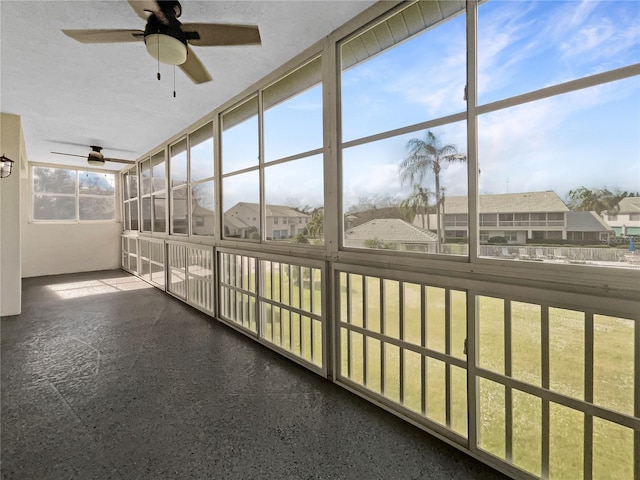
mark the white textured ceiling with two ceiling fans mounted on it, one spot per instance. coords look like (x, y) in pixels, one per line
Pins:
(108, 95)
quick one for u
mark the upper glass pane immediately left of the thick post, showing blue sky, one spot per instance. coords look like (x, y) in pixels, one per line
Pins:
(293, 109)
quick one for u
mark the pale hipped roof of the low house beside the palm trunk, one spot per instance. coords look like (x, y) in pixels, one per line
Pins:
(390, 230)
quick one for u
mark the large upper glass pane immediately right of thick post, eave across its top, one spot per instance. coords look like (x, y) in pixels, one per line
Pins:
(416, 80)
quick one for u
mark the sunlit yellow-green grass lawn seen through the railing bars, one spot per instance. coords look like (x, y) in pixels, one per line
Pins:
(294, 300)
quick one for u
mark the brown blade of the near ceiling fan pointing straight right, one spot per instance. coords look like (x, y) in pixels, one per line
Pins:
(222, 34)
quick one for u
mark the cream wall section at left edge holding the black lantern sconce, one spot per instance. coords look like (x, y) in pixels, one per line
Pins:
(12, 146)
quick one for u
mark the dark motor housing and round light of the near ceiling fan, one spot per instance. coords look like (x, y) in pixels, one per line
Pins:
(165, 40)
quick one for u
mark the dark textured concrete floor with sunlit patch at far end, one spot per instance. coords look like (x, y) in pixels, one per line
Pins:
(104, 377)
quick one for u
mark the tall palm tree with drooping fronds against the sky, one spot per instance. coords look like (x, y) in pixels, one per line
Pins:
(429, 155)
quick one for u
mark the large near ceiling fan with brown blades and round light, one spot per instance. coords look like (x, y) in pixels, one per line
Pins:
(168, 40)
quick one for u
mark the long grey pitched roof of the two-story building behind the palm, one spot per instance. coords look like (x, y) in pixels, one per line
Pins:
(530, 202)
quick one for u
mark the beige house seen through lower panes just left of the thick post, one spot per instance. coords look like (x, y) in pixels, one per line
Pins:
(281, 222)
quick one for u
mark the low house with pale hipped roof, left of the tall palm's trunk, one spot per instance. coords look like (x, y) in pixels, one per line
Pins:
(391, 233)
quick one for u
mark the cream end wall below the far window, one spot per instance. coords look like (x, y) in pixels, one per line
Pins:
(56, 248)
